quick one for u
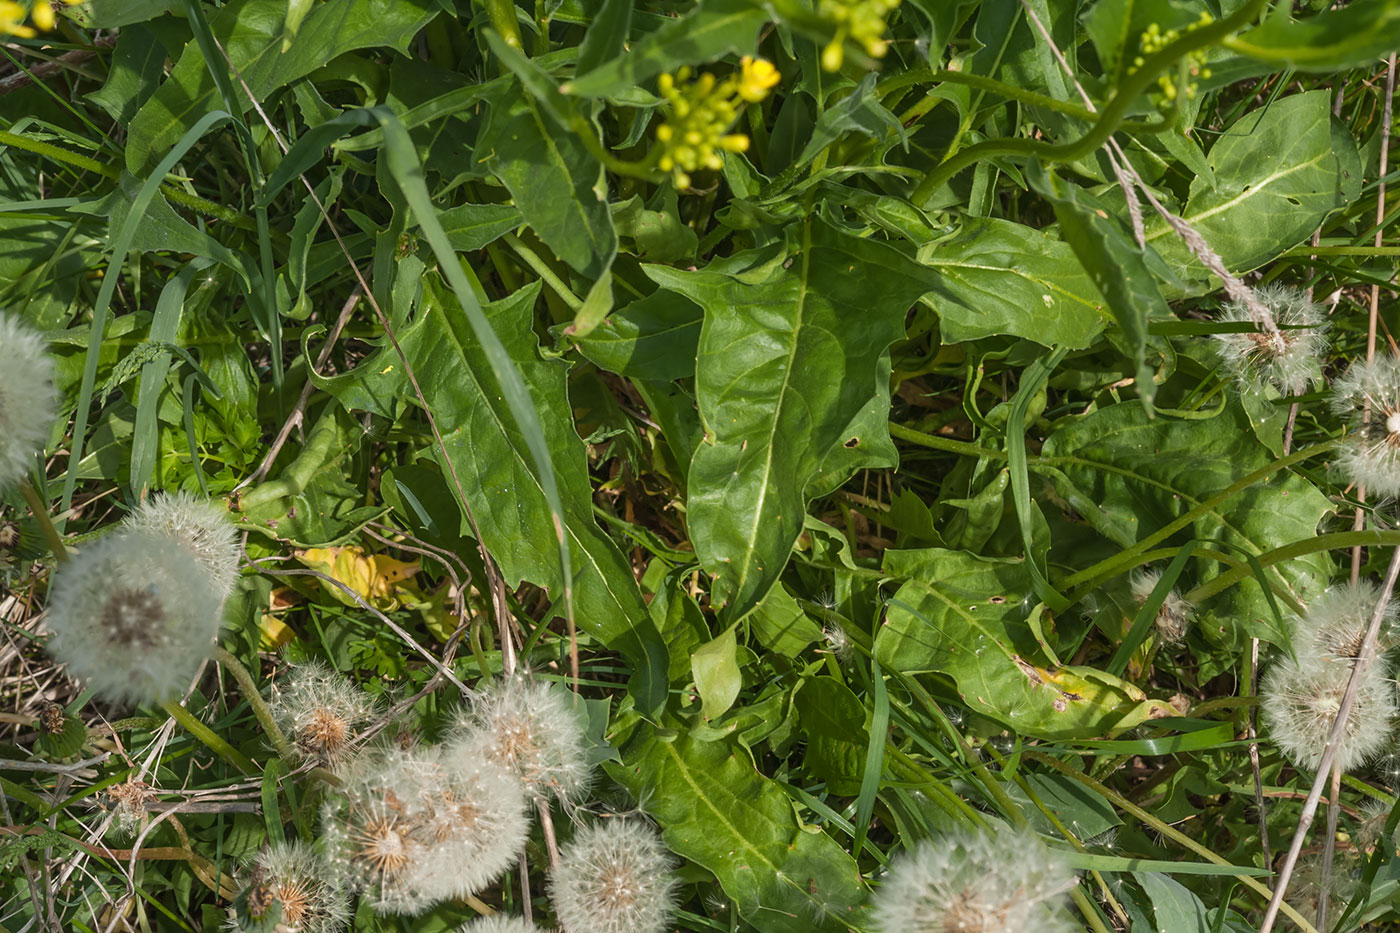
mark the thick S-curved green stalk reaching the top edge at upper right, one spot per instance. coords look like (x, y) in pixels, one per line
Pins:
(1108, 123)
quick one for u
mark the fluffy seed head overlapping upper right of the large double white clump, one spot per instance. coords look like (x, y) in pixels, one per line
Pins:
(531, 729)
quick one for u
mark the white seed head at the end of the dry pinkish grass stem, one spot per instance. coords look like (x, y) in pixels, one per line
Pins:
(1291, 358)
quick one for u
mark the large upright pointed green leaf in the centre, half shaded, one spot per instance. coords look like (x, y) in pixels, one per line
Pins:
(793, 383)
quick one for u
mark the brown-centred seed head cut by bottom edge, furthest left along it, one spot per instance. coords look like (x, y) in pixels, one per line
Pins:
(290, 882)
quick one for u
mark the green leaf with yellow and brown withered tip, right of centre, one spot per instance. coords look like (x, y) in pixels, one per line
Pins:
(969, 618)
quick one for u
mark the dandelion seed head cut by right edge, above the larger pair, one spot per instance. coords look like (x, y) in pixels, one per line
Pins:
(1371, 455)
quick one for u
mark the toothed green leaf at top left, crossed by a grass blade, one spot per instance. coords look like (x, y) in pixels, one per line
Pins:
(251, 34)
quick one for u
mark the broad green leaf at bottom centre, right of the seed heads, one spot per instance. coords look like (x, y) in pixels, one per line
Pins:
(720, 813)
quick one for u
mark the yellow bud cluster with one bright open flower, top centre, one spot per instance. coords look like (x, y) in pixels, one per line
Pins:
(701, 113)
